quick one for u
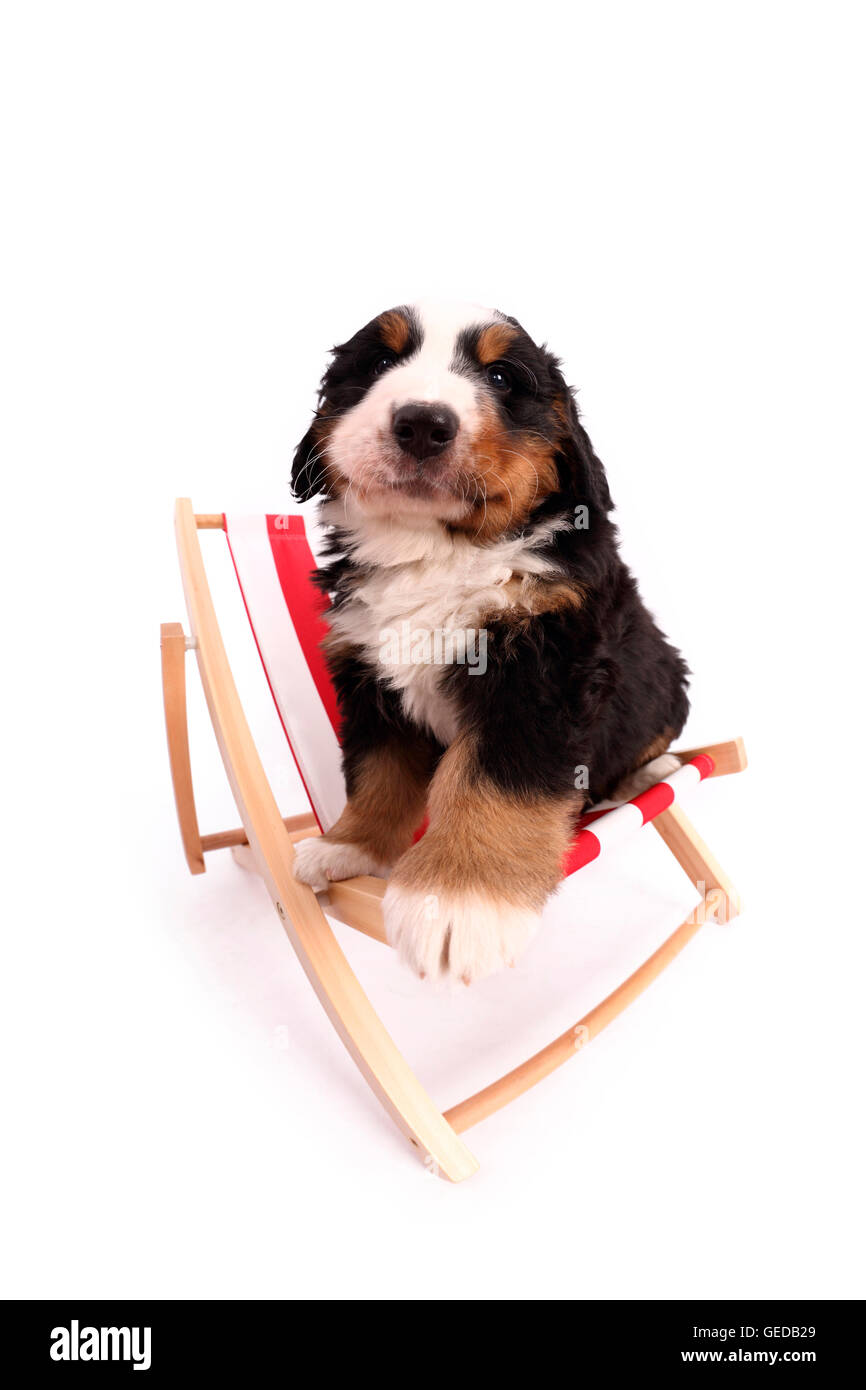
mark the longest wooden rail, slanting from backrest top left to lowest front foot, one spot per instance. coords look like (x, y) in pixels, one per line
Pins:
(347, 1006)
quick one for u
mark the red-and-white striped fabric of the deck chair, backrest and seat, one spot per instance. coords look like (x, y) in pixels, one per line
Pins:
(275, 562)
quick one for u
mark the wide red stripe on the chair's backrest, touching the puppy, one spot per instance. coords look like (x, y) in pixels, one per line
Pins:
(307, 604)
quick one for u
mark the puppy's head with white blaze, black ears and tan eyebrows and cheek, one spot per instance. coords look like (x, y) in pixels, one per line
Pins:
(450, 414)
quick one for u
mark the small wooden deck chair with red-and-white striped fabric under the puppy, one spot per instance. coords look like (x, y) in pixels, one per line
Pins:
(275, 562)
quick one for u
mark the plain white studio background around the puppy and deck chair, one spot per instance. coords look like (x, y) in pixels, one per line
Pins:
(199, 199)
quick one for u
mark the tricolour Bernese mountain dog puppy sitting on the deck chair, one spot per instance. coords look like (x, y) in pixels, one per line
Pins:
(496, 668)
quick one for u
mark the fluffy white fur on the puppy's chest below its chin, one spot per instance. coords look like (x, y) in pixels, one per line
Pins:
(425, 603)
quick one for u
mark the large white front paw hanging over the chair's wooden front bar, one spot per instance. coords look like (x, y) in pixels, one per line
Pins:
(465, 936)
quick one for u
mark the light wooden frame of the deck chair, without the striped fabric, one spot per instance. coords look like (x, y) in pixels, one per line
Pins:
(269, 840)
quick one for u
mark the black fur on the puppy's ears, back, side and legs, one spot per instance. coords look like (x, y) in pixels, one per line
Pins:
(590, 686)
